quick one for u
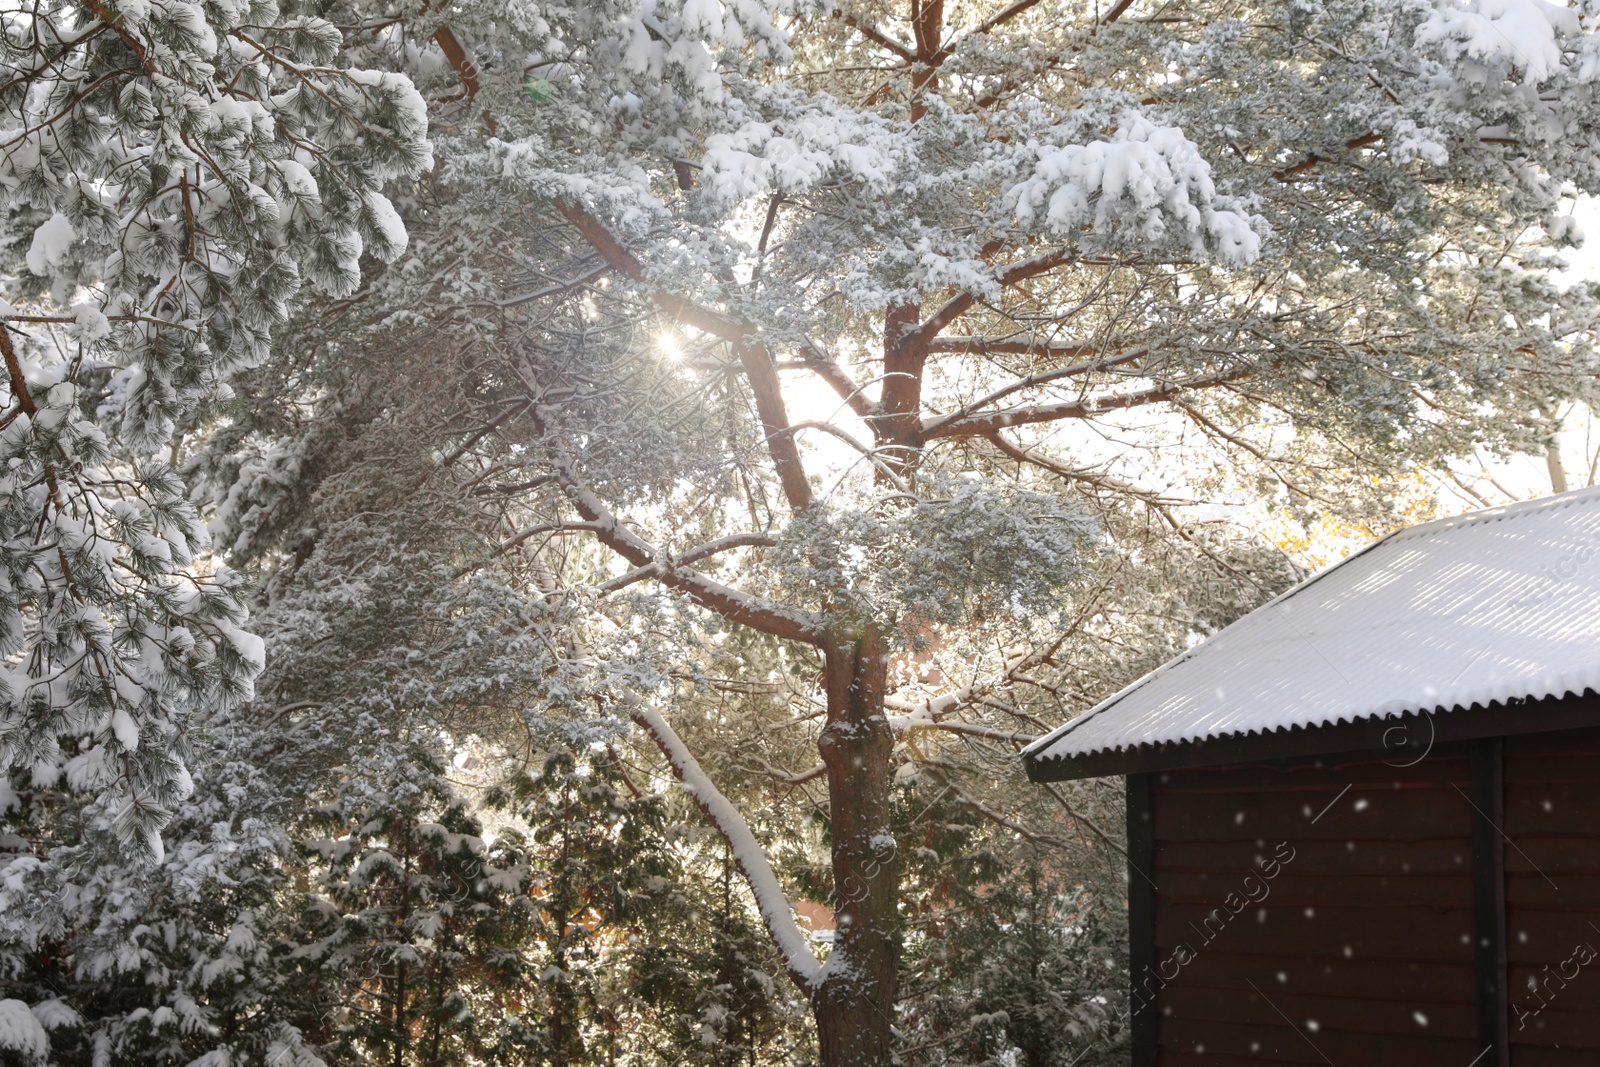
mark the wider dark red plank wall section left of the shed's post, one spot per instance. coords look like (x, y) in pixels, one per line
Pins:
(1358, 949)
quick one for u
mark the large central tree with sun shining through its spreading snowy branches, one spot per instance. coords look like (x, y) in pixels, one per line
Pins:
(1063, 276)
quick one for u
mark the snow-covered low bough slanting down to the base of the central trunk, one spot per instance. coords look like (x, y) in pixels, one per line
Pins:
(770, 900)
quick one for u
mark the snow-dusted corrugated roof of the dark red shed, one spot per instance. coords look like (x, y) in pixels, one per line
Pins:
(1494, 605)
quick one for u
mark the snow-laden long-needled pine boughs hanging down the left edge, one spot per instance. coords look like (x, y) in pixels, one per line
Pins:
(172, 175)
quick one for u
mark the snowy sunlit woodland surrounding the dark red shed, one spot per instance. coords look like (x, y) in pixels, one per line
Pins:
(534, 532)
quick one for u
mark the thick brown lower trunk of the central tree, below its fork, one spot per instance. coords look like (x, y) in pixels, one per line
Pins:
(855, 1004)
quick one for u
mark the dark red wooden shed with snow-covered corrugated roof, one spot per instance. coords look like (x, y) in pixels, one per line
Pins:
(1364, 821)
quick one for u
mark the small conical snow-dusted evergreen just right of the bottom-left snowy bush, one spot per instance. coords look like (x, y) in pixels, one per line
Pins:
(412, 938)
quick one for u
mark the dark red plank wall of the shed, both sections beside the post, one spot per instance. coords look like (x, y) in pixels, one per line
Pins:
(1324, 911)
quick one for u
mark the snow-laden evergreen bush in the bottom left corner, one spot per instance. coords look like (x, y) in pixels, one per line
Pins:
(175, 962)
